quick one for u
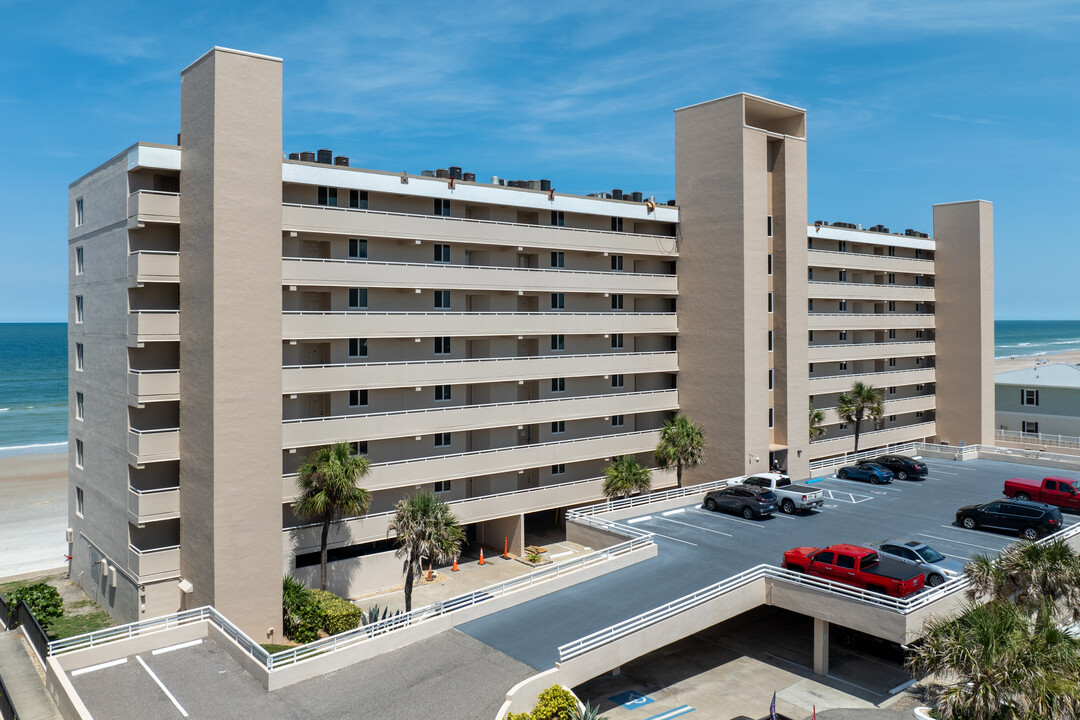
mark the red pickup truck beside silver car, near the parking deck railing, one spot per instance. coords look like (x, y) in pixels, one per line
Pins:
(857, 566)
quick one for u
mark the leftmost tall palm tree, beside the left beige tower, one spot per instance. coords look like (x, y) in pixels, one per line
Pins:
(328, 482)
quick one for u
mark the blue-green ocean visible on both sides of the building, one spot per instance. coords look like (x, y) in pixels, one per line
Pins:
(34, 375)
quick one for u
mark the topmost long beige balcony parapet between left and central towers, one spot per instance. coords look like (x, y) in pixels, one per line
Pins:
(372, 224)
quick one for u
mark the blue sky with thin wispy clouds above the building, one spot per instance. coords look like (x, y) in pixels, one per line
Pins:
(910, 104)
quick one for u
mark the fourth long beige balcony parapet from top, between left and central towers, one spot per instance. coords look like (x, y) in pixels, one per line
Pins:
(330, 378)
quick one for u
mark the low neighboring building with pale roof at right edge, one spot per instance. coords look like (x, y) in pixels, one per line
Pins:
(1043, 400)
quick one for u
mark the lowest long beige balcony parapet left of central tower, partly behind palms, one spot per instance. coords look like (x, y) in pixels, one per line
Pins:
(306, 539)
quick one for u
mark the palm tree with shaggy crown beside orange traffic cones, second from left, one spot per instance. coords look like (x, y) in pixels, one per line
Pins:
(426, 528)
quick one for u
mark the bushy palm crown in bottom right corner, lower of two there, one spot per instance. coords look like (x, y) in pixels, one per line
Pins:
(993, 663)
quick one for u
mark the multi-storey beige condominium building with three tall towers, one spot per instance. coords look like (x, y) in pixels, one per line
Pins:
(234, 308)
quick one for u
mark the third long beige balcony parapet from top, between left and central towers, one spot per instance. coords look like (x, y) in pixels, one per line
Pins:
(300, 325)
